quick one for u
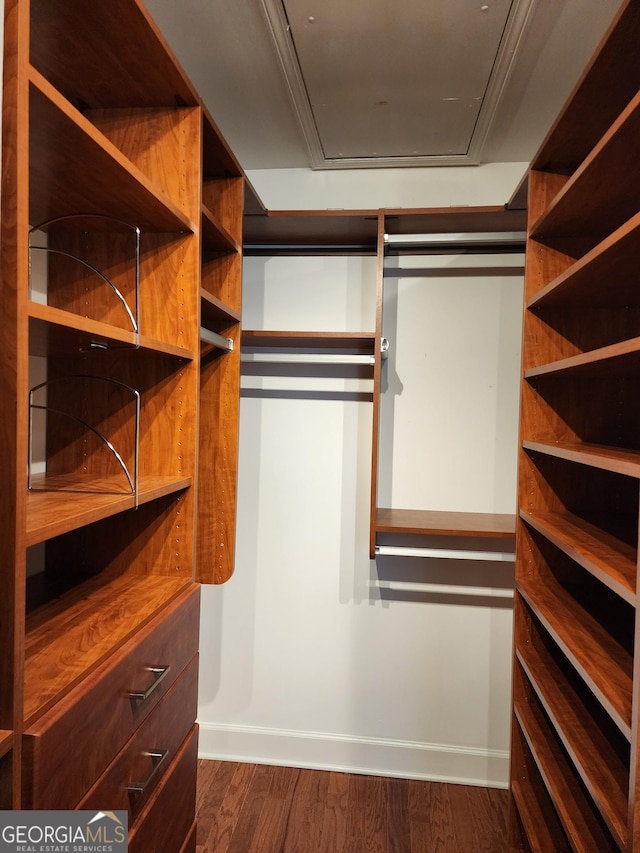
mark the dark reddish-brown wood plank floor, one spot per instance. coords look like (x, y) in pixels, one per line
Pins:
(250, 808)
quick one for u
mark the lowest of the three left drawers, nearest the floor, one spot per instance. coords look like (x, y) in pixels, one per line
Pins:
(166, 822)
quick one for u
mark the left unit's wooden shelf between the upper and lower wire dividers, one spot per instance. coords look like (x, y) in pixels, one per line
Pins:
(53, 332)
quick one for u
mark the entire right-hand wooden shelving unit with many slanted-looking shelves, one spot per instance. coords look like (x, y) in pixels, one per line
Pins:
(575, 727)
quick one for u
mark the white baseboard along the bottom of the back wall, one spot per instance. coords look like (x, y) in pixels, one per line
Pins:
(404, 759)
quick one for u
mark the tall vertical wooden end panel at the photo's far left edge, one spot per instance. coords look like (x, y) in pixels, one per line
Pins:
(13, 373)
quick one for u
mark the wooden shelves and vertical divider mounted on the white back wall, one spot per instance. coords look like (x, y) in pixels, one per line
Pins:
(363, 232)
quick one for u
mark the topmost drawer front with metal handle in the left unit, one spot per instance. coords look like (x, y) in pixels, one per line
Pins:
(69, 747)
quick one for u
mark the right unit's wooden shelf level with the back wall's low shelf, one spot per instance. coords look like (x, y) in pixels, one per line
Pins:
(610, 560)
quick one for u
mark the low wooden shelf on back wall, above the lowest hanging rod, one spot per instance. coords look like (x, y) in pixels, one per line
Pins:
(439, 523)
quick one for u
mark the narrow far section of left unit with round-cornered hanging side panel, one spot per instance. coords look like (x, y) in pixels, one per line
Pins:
(220, 309)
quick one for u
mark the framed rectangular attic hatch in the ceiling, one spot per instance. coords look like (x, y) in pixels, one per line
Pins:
(403, 83)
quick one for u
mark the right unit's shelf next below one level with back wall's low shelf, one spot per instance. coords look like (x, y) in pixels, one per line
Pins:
(603, 664)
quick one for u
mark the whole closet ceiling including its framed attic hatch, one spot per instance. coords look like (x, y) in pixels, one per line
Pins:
(343, 83)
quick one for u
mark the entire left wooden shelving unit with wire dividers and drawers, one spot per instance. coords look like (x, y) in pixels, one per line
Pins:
(121, 240)
